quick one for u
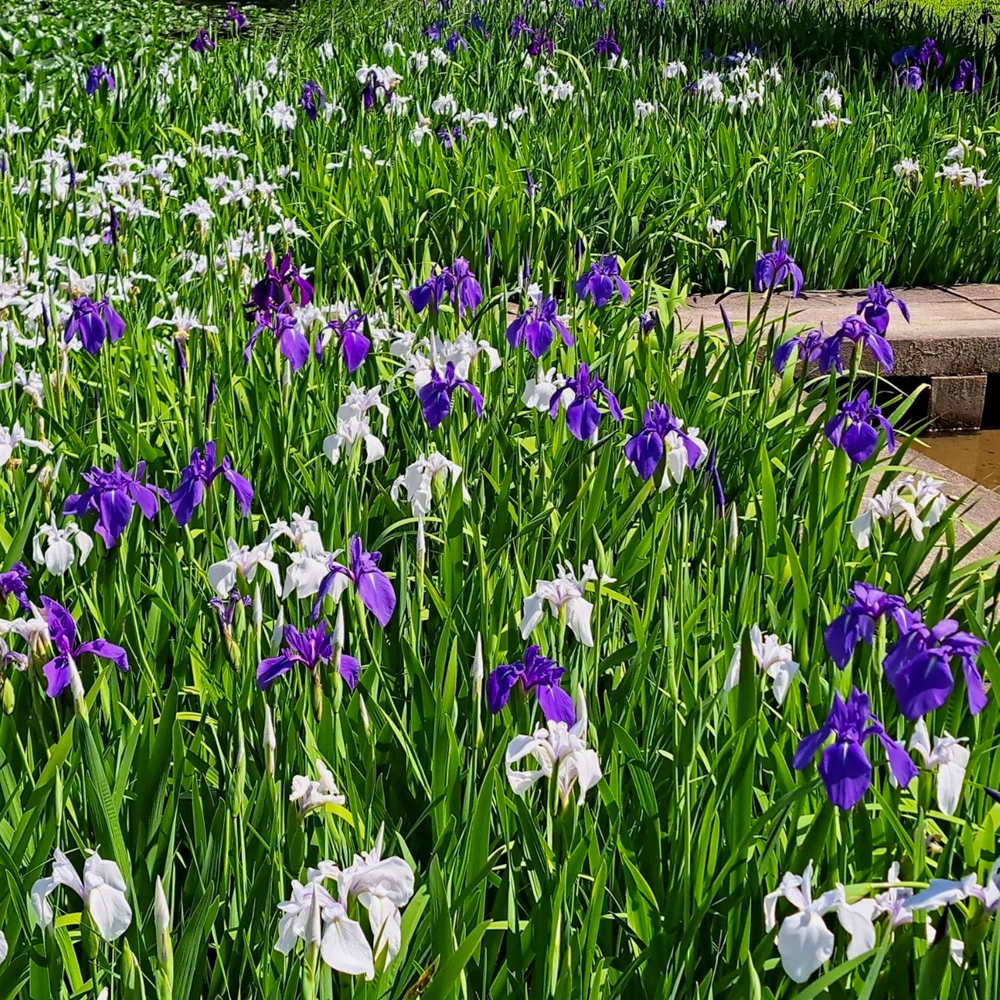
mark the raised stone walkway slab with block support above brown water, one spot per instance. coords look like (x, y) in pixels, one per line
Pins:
(952, 341)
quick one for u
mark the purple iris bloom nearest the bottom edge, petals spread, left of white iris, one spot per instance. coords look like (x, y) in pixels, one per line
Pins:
(844, 767)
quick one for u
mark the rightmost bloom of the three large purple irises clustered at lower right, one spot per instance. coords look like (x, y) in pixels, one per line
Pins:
(919, 666)
